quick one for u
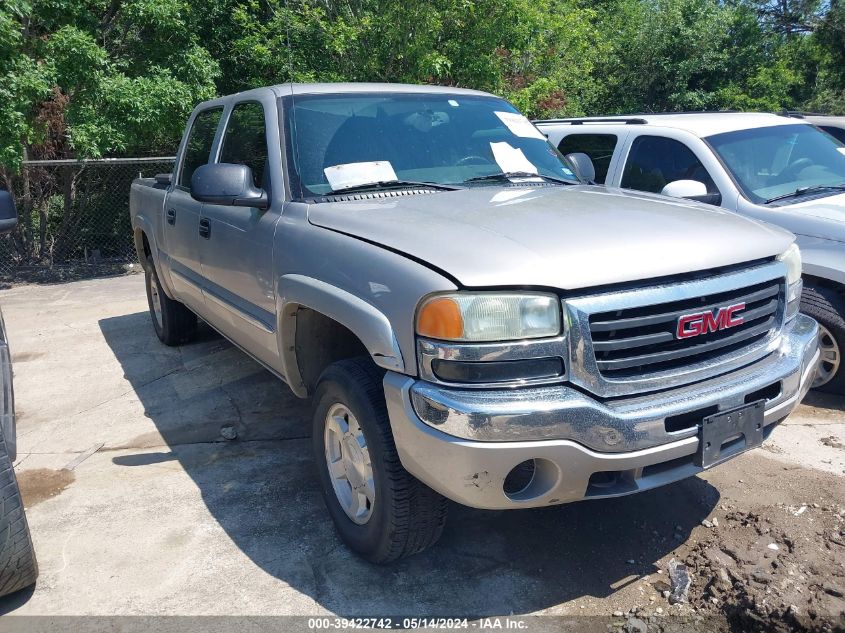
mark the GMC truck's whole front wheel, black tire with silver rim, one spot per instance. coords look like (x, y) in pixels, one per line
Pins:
(380, 510)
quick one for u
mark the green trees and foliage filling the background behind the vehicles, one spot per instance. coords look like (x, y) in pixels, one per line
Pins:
(88, 78)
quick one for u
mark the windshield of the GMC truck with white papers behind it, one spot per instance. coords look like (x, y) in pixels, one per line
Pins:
(346, 141)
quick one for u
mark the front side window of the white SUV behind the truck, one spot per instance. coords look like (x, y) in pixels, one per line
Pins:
(655, 161)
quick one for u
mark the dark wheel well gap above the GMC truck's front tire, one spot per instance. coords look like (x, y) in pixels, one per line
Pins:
(321, 341)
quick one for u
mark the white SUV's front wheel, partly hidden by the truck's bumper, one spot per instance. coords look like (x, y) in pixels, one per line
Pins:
(827, 307)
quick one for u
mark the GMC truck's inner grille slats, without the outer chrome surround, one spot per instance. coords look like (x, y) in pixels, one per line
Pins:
(640, 340)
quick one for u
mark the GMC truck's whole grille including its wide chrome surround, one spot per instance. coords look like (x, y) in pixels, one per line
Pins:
(622, 341)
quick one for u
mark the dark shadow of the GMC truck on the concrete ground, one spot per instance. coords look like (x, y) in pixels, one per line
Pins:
(262, 491)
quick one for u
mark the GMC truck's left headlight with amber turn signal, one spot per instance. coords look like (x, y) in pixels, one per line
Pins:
(488, 316)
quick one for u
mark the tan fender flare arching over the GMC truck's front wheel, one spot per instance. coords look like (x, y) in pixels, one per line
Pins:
(364, 320)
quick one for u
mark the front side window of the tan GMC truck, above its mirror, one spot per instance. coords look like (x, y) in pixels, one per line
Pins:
(245, 140)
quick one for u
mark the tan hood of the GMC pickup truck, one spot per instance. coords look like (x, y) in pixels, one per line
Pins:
(557, 237)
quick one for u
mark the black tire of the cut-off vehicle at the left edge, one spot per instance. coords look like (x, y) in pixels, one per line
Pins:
(18, 567)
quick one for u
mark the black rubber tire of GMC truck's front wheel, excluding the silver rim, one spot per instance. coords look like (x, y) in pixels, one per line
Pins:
(407, 516)
